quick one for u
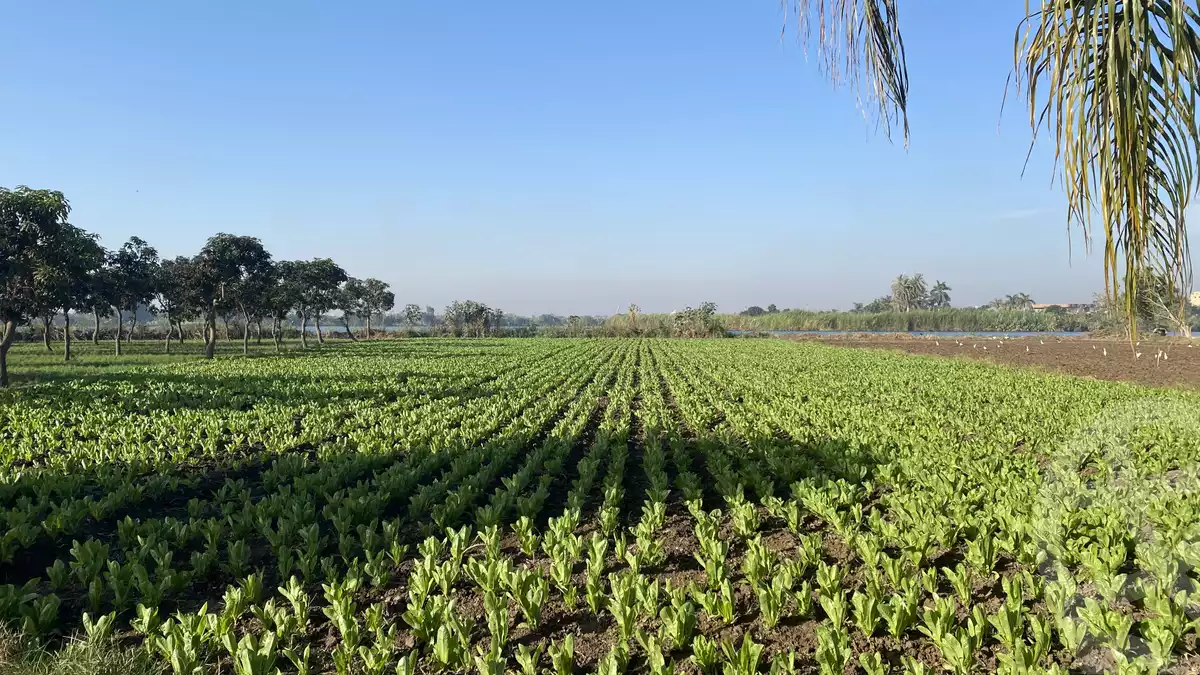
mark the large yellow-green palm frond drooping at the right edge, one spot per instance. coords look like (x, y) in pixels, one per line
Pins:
(1115, 82)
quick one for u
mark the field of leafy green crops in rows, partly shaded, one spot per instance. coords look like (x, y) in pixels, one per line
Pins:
(614, 506)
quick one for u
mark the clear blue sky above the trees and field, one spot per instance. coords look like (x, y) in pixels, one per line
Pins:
(541, 157)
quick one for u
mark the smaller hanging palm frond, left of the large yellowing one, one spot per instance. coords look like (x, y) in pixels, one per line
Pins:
(860, 44)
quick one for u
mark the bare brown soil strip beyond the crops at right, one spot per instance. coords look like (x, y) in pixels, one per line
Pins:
(1100, 360)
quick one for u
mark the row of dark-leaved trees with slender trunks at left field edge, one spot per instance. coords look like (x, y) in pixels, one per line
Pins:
(51, 268)
